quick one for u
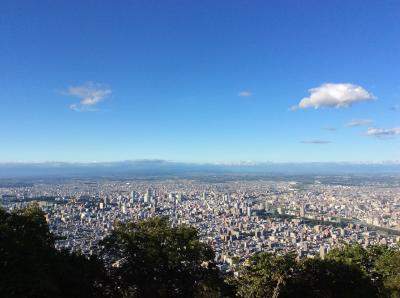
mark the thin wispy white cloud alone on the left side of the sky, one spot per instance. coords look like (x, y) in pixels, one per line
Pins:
(89, 94)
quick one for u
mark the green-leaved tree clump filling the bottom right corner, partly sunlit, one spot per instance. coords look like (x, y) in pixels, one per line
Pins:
(352, 271)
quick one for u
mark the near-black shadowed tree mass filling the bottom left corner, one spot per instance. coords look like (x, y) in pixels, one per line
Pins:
(30, 266)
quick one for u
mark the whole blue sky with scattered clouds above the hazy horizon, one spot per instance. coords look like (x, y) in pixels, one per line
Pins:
(124, 80)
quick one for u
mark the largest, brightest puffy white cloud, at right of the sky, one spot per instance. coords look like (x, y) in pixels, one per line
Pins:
(335, 95)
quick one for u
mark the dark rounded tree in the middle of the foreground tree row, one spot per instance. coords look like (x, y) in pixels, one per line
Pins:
(153, 259)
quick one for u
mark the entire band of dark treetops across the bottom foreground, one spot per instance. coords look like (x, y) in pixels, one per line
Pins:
(153, 258)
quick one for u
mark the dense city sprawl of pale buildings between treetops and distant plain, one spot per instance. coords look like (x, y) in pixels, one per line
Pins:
(237, 218)
